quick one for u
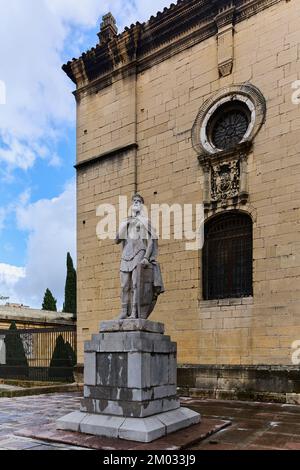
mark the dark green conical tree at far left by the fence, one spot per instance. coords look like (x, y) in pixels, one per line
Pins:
(15, 353)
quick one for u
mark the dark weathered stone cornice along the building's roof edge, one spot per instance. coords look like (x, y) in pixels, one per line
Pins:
(171, 31)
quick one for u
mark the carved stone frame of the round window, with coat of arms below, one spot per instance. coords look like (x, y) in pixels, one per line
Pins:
(225, 171)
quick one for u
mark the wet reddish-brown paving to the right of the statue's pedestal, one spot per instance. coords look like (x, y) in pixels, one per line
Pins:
(255, 426)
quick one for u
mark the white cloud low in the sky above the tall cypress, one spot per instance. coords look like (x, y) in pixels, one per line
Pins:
(51, 227)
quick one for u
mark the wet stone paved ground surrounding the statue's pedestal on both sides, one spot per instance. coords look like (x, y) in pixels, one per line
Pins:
(254, 426)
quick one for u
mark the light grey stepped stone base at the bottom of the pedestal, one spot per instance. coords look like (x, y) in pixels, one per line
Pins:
(130, 429)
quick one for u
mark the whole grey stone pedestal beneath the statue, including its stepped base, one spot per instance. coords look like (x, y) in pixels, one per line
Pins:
(130, 382)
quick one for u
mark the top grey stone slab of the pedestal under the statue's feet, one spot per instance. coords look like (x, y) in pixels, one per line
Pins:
(132, 325)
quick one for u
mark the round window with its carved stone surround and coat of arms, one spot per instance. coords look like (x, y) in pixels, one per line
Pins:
(222, 136)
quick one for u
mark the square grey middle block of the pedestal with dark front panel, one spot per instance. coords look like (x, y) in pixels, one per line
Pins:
(132, 360)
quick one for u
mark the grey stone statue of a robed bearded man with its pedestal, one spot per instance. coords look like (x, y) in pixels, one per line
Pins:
(130, 367)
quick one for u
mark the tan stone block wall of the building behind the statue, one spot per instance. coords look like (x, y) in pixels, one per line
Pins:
(260, 177)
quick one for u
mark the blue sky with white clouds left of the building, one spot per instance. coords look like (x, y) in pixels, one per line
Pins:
(37, 135)
